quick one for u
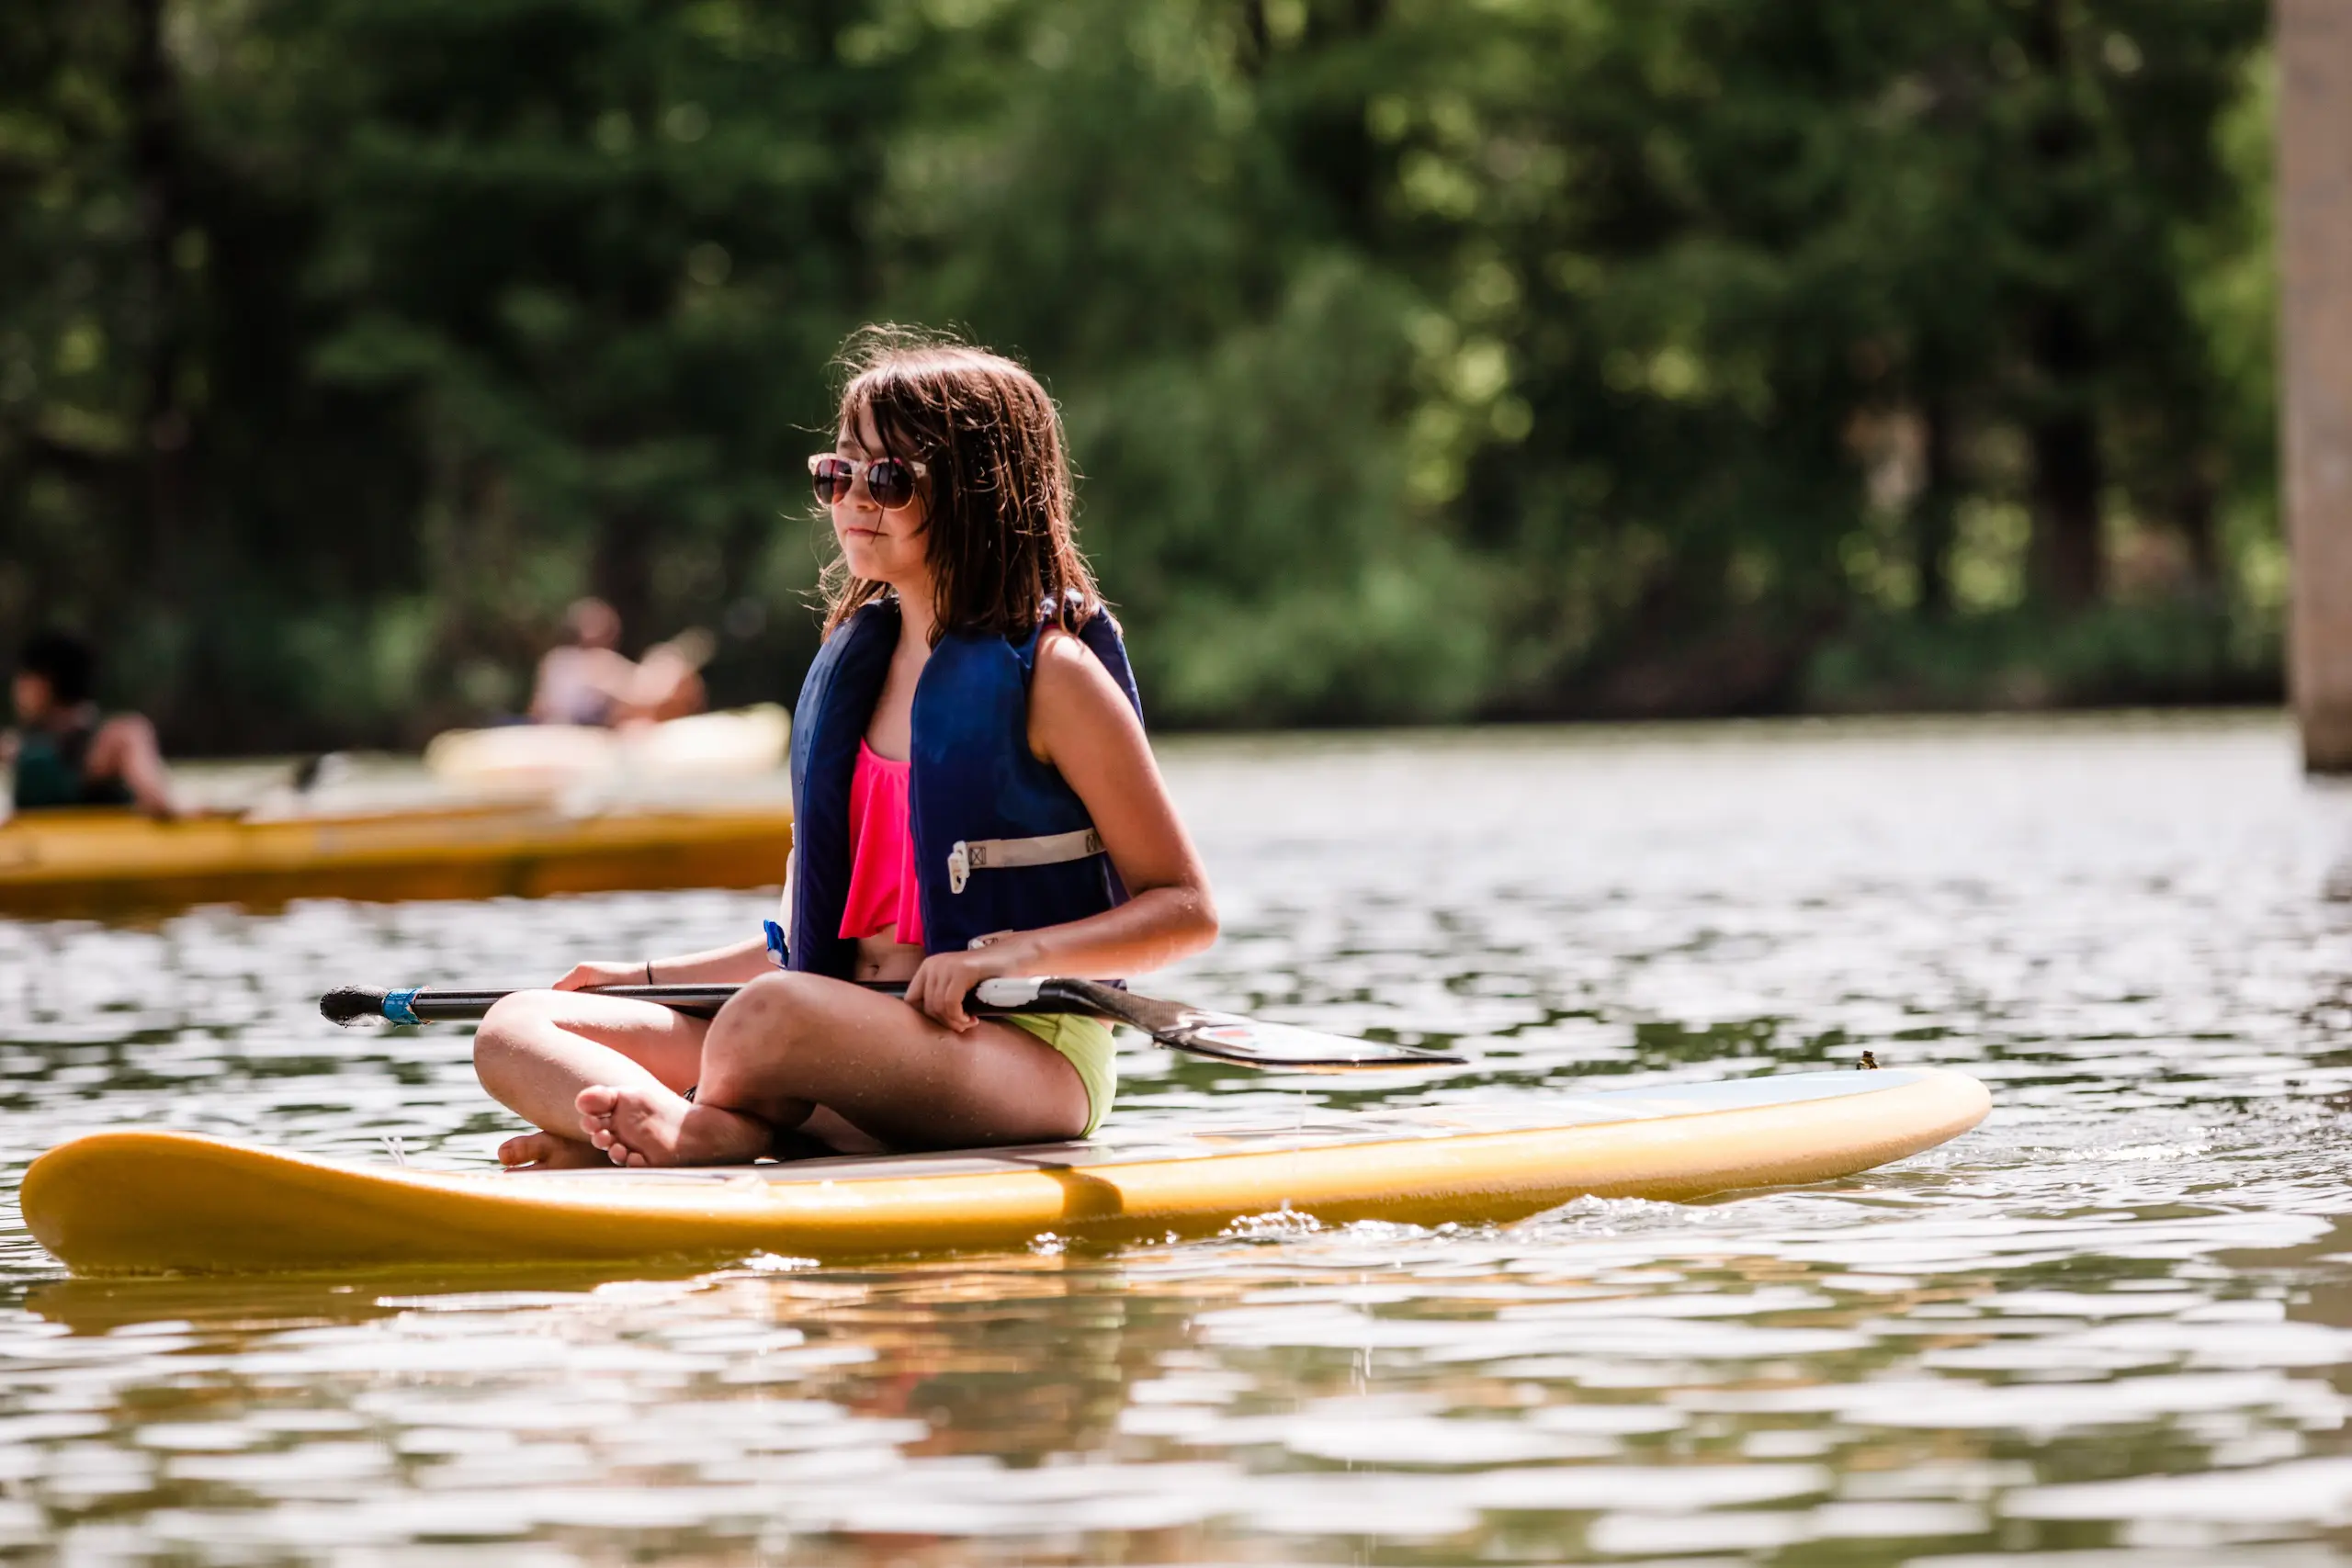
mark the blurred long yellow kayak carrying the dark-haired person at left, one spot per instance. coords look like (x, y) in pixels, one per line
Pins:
(107, 862)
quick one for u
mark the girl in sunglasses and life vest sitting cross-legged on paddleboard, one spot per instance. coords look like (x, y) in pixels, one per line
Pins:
(973, 798)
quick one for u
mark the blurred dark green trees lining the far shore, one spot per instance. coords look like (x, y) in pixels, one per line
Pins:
(1422, 359)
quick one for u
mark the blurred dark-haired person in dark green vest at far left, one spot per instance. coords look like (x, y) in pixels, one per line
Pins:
(65, 751)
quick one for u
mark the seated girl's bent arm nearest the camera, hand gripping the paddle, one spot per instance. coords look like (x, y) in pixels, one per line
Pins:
(1083, 725)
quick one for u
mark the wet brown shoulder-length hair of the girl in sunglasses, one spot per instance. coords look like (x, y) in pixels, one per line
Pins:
(998, 492)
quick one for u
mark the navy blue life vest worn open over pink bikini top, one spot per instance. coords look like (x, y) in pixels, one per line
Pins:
(973, 779)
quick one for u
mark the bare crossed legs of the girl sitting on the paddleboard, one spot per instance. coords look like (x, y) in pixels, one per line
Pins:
(791, 1066)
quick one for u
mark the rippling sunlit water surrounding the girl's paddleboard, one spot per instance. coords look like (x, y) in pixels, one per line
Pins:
(2111, 1327)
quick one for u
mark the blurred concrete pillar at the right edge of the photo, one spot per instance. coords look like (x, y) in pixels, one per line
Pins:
(2316, 342)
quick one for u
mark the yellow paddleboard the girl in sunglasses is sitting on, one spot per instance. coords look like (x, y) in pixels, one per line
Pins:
(149, 1202)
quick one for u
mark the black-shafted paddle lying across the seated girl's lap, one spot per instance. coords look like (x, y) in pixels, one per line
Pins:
(1224, 1038)
